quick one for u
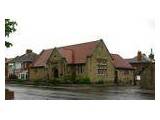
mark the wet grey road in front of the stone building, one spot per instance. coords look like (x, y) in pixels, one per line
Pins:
(80, 93)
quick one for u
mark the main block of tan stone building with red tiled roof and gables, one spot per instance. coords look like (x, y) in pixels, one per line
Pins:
(91, 59)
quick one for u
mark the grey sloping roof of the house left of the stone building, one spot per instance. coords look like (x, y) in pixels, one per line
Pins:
(27, 57)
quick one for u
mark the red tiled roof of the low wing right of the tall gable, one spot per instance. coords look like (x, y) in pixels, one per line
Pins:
(119, 62)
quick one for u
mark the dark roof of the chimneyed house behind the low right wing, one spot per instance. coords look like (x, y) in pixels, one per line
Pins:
(144, 59)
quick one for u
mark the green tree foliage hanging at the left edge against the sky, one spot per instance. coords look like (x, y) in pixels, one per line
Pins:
(9, 28)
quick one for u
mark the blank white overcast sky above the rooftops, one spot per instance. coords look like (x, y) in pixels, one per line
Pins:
(125, 26)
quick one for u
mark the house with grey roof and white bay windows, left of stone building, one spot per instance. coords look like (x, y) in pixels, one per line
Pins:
(19, 66)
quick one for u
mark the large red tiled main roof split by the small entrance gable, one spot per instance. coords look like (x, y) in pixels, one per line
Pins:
(79, 57)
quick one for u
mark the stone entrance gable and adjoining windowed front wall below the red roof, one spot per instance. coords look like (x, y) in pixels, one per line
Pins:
(56, 61)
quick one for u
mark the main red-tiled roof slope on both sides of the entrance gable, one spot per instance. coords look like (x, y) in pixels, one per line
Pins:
(73, 54)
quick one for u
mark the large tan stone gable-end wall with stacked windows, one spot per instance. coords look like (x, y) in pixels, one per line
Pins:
(100, 56)
